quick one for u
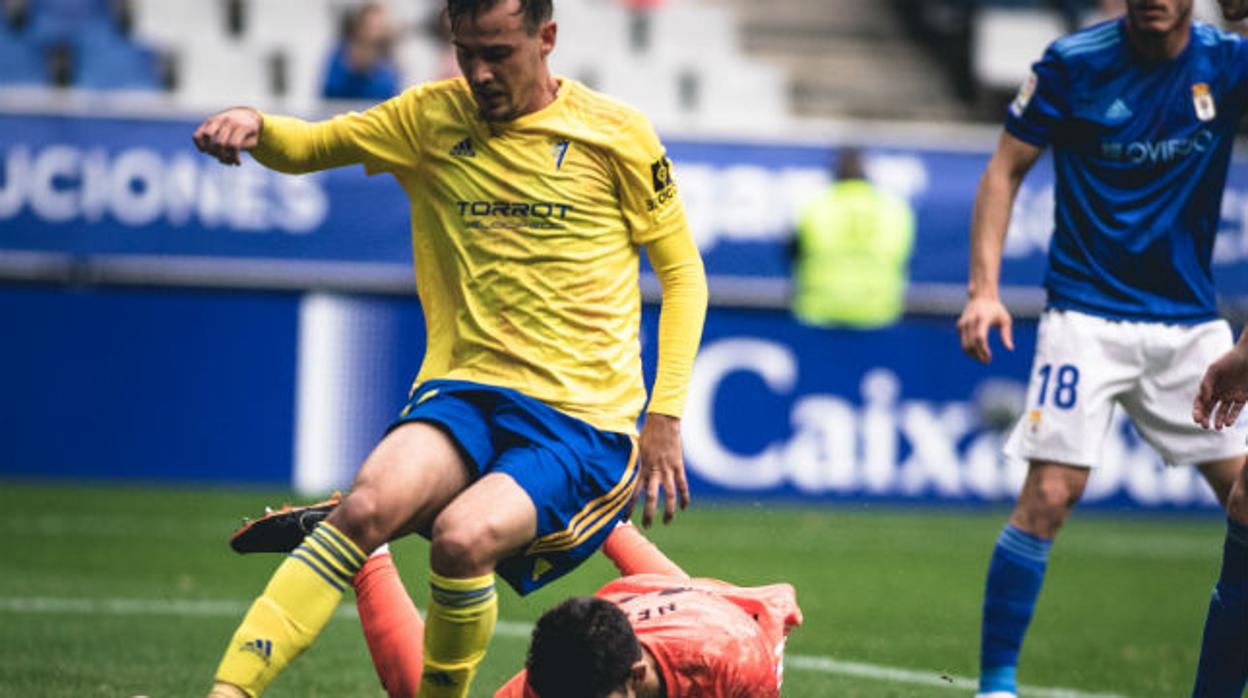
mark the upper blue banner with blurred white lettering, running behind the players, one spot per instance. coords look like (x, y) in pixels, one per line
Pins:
(94, 187)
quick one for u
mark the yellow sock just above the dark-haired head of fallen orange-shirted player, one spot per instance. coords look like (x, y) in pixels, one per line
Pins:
(457, 631)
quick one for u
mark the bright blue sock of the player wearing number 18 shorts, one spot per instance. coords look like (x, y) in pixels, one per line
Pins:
(1015, 578)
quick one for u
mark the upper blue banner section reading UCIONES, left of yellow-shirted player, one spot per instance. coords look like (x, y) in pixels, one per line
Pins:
(107, 187)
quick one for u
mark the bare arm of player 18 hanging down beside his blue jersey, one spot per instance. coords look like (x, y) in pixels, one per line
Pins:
(994, 202)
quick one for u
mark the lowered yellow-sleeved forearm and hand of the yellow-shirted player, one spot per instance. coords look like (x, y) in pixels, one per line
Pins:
(680, 268)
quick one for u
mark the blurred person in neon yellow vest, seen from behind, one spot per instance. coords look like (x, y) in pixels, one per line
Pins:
(853, 252)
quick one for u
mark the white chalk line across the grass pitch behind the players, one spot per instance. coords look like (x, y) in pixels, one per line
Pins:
(507, 629)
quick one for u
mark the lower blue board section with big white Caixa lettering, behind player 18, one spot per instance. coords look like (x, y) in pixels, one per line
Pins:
(778, 410)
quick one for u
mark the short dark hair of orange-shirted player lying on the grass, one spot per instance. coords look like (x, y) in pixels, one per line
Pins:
(582, 649)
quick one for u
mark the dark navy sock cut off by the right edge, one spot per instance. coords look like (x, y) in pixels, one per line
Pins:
(1225, 651)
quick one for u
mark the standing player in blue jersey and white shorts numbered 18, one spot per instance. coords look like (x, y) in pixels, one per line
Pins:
(1140, 114)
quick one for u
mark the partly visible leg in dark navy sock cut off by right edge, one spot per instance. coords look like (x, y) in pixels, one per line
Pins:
(1224, 669)
